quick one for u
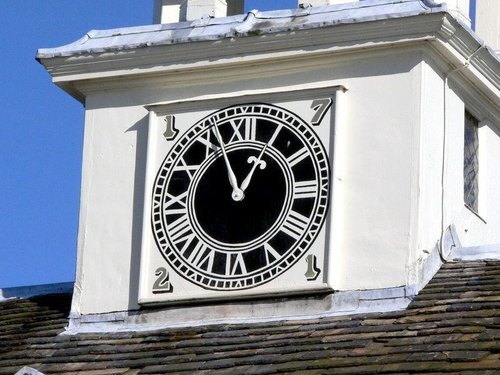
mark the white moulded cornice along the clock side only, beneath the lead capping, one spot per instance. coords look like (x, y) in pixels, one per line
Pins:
(166, 58)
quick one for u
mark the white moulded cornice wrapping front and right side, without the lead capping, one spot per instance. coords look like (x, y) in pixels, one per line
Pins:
(452, 40)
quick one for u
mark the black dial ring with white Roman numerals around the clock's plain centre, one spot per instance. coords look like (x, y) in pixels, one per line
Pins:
(173, 236)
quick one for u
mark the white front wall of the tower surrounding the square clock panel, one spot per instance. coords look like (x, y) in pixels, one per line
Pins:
(372, 242)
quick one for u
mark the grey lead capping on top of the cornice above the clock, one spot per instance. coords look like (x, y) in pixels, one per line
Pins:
(241, 26)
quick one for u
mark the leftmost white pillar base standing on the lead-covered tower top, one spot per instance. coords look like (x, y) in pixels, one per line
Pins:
(170, 11)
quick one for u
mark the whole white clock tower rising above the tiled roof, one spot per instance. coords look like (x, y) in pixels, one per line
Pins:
(265, 165)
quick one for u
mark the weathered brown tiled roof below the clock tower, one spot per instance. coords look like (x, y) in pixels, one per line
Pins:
(453, 325)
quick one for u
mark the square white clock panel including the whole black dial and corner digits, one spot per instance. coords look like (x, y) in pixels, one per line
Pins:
(237, 198)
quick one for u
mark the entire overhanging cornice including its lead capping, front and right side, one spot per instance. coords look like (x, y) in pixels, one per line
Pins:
(263, 37)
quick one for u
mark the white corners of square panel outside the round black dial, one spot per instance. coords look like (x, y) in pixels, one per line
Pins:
(162, 283)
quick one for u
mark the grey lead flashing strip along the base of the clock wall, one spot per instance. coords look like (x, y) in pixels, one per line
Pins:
(342, 303)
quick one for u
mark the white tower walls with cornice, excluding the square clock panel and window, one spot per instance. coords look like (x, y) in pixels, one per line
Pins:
(398, 165)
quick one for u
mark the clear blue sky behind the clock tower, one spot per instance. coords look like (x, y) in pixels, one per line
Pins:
(41, 133)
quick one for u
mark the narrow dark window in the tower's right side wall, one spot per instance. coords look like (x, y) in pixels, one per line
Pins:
(471, 163)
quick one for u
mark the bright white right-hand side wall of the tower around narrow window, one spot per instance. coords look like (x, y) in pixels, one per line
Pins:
(441, 182)
